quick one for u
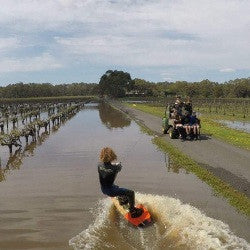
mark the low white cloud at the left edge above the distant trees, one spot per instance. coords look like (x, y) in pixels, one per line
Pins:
(39, 63)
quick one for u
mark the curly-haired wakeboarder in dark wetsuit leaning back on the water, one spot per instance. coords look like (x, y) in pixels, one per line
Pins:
(107, 173)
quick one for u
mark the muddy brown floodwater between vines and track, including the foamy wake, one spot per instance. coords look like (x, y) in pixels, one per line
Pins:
(50, 194)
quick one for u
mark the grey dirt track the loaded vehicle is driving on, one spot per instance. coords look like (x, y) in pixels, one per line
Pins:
(228, 162)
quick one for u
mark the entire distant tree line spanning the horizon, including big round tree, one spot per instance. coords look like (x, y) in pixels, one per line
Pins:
(120, 84)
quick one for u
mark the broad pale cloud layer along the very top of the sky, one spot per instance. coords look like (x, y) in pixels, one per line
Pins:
(207, 17)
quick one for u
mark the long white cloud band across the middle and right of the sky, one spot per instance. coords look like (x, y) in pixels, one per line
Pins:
(149, 51)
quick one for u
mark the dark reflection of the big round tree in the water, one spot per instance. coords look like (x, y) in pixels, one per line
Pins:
(112, 118)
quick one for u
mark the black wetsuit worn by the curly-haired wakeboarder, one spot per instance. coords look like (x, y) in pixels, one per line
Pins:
(107, 174)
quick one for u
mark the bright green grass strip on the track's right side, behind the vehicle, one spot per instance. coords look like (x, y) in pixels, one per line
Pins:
(209, 126)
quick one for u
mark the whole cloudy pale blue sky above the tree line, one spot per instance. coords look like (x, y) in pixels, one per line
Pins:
(63, 41)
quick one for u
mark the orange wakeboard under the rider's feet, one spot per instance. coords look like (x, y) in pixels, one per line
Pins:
(140, 221)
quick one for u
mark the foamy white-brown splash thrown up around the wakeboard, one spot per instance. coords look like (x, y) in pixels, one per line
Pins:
(176, 226)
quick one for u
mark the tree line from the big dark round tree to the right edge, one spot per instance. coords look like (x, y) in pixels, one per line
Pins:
(119, 84)
